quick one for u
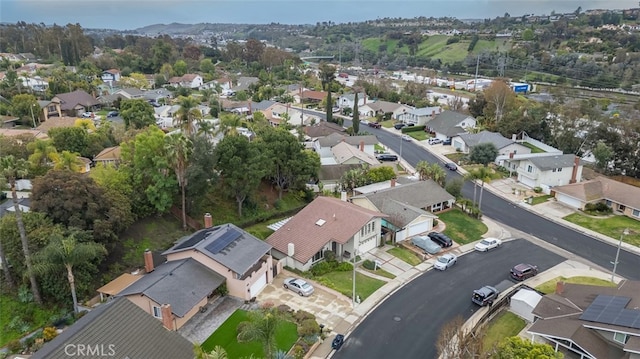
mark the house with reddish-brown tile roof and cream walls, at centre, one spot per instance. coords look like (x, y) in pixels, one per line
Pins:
(326, 224)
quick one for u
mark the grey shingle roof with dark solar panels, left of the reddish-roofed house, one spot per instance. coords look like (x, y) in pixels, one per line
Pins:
(239, 255)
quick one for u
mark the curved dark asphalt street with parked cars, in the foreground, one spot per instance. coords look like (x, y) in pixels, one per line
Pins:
(407, 324)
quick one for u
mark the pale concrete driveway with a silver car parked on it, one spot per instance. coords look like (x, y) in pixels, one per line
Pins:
(329, 306)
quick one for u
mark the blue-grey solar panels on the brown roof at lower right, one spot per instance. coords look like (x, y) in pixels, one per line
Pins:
(609, 309)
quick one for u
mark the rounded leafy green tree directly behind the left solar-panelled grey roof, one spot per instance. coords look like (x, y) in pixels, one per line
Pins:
(241, 165)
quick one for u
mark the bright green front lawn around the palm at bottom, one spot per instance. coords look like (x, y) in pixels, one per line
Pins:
(226, 335)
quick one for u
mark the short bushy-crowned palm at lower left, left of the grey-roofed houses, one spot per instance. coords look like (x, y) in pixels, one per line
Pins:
(68, 252)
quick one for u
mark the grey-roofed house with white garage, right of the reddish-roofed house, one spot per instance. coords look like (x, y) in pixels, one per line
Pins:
(409, 207)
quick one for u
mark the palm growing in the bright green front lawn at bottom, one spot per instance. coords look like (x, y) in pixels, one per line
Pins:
(262, 326)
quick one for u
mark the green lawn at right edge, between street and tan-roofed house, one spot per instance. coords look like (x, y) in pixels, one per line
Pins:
(612, 226)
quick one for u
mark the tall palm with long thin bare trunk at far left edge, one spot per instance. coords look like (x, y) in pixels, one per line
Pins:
(12, 169)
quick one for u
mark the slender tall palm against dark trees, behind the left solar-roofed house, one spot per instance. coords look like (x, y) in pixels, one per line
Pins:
(179, 149)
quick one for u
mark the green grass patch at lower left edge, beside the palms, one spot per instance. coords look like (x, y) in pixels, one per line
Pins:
(31, 316)
